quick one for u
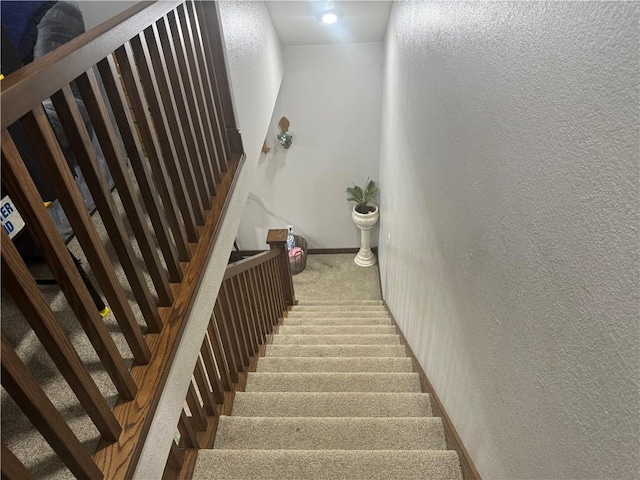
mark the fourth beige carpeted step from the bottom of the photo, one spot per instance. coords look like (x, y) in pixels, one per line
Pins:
(333, 382)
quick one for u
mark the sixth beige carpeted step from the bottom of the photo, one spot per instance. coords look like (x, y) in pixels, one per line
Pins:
(335, 351)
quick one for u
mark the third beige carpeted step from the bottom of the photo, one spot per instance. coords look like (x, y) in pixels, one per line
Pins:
(342, 404)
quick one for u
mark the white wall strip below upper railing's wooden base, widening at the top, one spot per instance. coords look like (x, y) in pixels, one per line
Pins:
(255, 68)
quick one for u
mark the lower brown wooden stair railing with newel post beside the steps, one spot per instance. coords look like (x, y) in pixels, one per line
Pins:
(255, 294)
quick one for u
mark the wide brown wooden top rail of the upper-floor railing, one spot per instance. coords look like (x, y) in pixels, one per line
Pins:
(24, 89)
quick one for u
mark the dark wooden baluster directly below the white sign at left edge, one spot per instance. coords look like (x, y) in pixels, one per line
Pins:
(18, 281)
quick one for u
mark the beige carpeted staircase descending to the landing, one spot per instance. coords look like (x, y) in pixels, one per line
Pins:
(335, 397)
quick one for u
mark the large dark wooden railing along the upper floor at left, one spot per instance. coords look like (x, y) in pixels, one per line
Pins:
(162, 67)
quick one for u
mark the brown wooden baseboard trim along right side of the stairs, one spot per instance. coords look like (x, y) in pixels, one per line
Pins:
(454, 442)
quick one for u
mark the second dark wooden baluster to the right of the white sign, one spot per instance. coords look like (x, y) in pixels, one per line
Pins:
(45, 144)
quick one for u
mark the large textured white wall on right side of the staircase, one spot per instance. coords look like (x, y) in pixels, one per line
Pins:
(509, 179)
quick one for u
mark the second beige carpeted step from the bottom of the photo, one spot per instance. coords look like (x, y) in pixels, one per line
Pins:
(318, 433)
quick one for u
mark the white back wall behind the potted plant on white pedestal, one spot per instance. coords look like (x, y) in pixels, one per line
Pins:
(332, 96)
